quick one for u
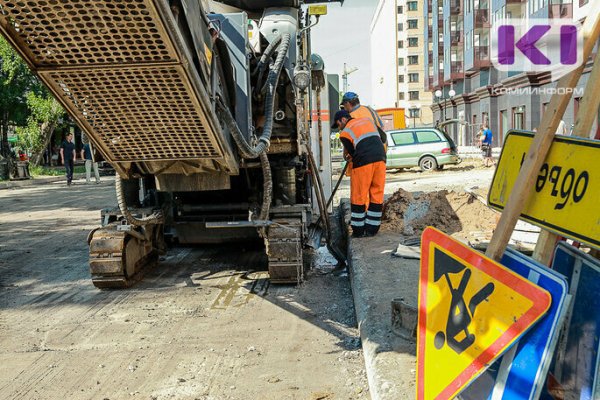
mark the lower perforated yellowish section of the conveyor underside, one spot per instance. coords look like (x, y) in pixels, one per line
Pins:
(142, 114)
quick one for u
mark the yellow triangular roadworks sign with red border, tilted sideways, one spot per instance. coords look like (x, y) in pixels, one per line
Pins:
(471, 310)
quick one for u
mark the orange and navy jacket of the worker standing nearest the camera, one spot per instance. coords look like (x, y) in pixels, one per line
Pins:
(363, 142)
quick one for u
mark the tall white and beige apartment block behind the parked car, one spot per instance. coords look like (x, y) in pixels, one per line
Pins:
(405, 79)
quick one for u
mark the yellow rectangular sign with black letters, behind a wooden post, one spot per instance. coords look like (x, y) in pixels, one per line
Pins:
(566, 196)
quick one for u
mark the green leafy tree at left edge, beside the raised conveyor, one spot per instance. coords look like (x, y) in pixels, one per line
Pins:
(25, 103)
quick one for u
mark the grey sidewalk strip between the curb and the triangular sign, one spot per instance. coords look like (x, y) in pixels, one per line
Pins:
(377, 278)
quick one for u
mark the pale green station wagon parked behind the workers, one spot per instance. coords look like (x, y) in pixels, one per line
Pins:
(427, 148)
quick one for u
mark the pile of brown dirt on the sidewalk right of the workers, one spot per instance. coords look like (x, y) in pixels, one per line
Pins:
(451, 212)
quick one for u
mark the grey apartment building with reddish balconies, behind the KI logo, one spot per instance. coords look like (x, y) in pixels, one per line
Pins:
(461, 73)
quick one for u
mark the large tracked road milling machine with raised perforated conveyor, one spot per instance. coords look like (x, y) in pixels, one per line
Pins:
(203, 108)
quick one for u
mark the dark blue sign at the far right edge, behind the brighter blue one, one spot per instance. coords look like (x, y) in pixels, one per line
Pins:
(574, 370)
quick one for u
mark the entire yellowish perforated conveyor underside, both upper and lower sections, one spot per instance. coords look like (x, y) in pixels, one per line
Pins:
(119, 72)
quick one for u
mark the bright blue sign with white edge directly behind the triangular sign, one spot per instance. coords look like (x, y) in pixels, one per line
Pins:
(521, 372)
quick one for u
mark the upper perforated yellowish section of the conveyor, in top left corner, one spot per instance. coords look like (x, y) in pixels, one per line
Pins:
(77, 32)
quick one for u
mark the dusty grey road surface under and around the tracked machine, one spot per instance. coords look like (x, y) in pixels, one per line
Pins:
(204, 324)
